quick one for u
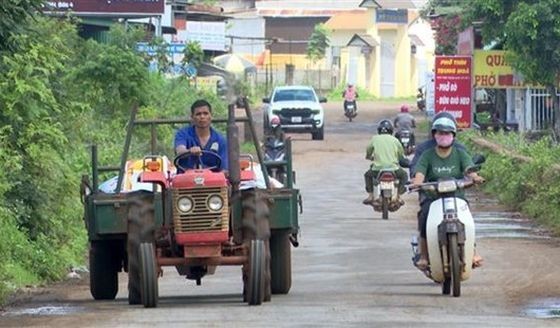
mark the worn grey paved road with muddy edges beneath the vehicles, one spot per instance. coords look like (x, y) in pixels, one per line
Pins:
(352, 268)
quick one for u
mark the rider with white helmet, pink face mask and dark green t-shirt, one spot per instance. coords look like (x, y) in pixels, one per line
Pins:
(442, 161)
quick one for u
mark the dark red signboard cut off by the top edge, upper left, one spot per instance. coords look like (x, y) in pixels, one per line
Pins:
(93, 7)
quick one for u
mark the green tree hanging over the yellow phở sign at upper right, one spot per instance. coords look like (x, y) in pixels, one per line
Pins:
(530, 32)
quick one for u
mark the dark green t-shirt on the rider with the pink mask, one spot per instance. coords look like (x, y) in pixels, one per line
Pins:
(435, 167)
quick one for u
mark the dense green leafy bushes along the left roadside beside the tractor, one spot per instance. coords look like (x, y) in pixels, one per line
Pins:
(59, 94)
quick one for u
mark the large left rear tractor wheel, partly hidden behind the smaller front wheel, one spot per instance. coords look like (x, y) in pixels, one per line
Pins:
(141, 229)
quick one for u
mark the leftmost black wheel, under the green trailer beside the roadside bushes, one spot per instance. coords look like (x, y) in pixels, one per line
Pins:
(103, 270)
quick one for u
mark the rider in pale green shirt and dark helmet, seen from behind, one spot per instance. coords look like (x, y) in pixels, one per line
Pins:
(384, 150)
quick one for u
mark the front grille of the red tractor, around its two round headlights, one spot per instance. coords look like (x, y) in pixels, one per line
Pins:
(201, 218)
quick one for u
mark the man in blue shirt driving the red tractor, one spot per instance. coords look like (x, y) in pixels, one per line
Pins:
(200, 136)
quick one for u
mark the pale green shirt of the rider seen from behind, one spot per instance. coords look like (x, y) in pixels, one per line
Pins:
(384, 150)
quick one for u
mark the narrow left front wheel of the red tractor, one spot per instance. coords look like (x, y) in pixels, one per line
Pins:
(148, 275)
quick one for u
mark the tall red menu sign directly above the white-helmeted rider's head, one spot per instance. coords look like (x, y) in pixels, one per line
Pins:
(453, 88)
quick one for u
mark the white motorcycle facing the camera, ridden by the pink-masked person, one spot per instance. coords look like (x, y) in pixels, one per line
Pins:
(450, 235)
